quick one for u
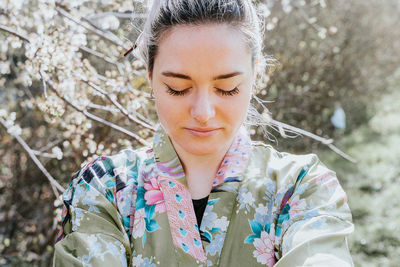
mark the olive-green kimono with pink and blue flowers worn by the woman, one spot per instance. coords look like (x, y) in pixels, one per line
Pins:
(266, 208)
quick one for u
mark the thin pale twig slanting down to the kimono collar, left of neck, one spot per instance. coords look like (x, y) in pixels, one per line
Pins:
(98, 119)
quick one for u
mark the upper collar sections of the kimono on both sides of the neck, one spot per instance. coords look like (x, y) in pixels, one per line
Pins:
(233, 163)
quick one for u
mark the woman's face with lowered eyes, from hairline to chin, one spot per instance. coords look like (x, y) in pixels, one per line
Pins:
(202, 80)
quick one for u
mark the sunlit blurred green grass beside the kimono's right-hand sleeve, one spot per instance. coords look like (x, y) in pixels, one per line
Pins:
(372, 185)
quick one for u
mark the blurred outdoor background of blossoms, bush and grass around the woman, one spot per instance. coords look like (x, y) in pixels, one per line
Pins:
(67, 95)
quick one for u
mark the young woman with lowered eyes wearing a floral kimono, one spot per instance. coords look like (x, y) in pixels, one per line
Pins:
(204, 194)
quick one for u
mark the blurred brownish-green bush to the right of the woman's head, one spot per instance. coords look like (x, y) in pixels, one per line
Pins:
(328, 54)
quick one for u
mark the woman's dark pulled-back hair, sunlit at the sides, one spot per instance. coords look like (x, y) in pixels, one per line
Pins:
(165, 14)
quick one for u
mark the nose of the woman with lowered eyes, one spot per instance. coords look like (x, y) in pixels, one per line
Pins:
(202, 109)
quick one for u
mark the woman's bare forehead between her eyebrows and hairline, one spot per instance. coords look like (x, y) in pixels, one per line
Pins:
(213, 47)
